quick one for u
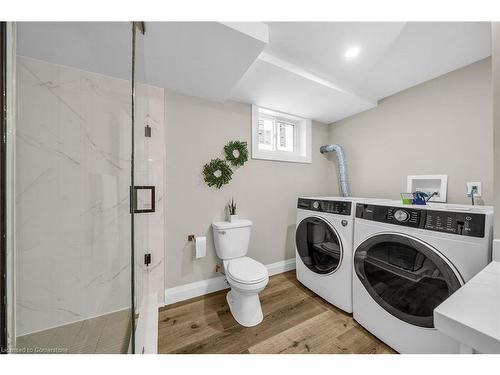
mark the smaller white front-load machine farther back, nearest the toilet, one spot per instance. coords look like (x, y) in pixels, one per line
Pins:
(324, 246)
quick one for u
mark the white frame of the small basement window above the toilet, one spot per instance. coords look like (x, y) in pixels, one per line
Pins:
(302, 137)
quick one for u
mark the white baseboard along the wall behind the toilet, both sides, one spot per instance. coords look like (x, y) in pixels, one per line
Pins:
(200, 288)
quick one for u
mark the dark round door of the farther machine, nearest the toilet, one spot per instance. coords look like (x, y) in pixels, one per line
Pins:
(318, 245)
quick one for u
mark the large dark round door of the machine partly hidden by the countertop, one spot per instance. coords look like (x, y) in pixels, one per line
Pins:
(405, 276)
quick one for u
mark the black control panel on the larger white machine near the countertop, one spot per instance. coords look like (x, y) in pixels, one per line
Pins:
(460, 223)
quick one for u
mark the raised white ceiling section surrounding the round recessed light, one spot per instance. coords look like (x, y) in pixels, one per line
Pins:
(394, 55)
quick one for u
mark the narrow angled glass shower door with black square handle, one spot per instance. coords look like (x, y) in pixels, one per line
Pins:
(149, 180)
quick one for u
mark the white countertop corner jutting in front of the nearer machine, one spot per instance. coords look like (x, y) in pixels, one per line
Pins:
(472, 314)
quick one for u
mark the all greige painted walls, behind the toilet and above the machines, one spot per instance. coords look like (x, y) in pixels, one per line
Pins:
(452, 113)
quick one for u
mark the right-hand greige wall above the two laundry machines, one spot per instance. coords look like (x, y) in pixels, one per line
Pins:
(442, 126)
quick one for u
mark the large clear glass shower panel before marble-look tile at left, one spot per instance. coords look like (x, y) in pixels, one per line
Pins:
(76, 198)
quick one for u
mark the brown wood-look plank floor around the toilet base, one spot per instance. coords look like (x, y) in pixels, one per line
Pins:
(295, 321)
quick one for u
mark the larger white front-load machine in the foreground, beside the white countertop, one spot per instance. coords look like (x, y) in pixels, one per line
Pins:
(409, 259)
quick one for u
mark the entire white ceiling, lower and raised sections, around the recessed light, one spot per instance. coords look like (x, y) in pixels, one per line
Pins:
(302, 70)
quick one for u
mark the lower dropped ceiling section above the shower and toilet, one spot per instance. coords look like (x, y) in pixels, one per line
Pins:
(204, 59)
